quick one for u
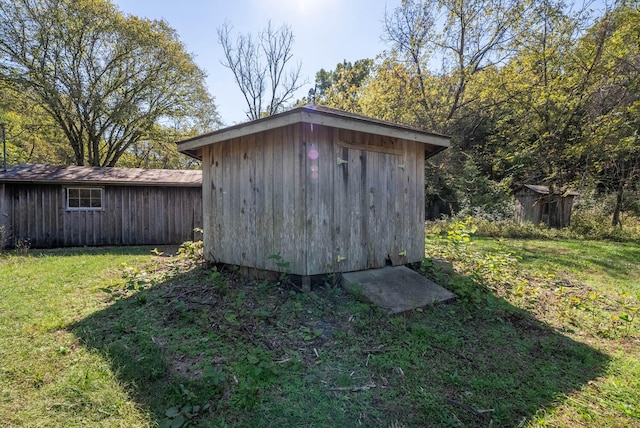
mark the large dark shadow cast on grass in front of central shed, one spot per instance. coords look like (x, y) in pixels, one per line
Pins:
(222, 351)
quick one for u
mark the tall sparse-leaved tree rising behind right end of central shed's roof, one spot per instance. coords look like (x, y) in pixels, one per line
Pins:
(466, 35)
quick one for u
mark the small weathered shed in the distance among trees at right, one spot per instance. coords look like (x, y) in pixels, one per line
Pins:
(533, 204)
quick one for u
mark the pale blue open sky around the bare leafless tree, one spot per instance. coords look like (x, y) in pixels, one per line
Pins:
(326, 32)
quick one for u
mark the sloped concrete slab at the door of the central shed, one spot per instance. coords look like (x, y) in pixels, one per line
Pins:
(396, 288)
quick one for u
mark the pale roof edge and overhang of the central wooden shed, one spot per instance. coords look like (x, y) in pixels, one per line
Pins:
(317, 115)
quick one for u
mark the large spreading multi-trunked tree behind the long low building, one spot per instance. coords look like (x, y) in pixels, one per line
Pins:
(106, 79)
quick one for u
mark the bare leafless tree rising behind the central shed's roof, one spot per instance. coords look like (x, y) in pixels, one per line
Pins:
(259, 67)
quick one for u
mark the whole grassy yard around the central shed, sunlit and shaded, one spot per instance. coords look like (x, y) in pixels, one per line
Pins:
(158, 341)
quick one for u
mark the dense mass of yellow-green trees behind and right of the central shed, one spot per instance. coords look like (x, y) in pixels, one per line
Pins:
(537, 93)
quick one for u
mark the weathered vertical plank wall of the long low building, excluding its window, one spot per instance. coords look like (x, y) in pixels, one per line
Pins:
(130, 216)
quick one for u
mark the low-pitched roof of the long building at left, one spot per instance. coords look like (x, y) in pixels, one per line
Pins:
(100, 175)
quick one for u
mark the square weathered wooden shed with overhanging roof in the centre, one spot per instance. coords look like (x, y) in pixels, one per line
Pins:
(314, 189)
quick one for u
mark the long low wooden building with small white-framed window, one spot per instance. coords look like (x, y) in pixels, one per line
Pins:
(62, 206)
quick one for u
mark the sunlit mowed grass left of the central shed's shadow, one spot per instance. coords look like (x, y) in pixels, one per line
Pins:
(47, 378)
